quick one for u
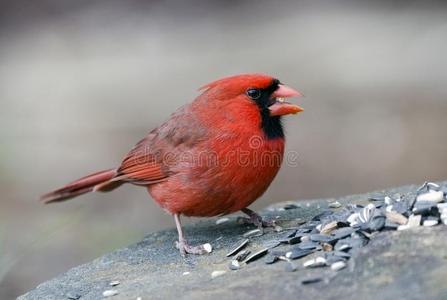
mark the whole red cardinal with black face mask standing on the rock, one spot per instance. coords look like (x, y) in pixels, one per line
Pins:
(214, 156)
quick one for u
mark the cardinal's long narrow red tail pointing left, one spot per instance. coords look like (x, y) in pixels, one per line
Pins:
(100, 181)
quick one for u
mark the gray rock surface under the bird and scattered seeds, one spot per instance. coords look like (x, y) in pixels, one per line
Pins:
(410, 264)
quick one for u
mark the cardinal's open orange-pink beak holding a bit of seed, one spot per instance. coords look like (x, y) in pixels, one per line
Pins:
(279, 106)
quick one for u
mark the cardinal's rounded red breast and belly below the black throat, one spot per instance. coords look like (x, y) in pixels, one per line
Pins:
(222, 175)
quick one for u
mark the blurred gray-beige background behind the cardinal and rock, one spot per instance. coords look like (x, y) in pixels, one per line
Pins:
(82, 81)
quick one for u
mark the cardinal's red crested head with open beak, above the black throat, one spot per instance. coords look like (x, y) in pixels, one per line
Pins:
(264, 91)
